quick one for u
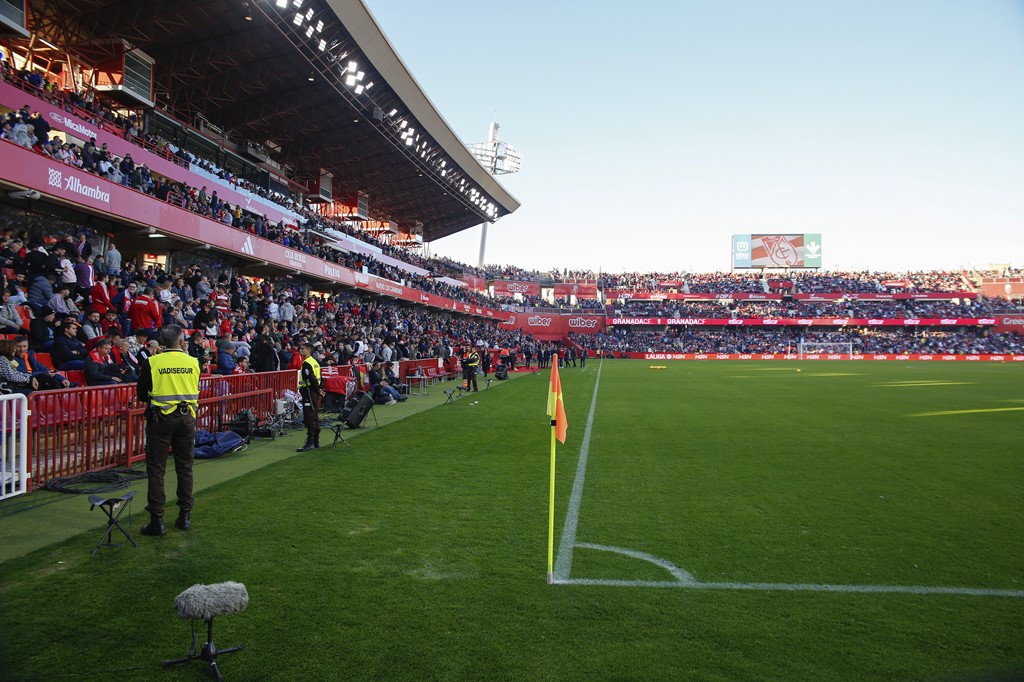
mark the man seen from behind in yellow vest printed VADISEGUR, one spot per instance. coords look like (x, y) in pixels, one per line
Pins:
(169, 382)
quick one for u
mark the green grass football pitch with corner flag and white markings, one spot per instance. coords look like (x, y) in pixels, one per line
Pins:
(420, 553)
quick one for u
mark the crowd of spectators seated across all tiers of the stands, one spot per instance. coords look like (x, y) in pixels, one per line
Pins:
(96, 312)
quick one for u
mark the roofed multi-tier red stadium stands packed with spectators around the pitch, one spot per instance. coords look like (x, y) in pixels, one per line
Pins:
(276, 260)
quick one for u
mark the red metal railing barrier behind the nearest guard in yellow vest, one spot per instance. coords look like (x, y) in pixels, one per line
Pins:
(76, 431)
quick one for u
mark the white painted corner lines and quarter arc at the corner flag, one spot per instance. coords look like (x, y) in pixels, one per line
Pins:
(564, 562)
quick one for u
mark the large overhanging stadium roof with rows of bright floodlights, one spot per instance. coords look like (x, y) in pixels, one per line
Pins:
(316, 78)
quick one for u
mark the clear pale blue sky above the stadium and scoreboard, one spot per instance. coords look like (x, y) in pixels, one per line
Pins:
(653, 132)
